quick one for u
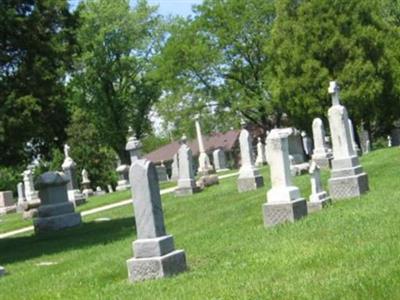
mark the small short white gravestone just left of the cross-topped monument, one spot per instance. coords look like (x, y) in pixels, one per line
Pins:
(318, 198)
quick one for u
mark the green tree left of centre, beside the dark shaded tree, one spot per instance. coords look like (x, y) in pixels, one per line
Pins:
(113, 81)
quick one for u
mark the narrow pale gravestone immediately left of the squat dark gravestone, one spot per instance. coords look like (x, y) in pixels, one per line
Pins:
(32, 197)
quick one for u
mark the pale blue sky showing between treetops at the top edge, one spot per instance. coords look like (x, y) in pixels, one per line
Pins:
(166, 7)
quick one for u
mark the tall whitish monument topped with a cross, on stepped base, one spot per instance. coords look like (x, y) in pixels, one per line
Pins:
(347, 177)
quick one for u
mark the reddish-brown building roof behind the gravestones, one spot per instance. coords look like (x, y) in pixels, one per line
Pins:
(225, 141)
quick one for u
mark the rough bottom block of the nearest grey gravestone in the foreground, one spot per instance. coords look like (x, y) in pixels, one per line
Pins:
(140, 269)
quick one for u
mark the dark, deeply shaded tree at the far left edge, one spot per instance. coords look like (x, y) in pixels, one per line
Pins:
(35, 51)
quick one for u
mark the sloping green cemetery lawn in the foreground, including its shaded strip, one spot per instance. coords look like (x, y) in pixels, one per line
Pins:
(350, 250)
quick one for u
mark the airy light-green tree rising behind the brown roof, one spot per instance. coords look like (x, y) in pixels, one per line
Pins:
(216, 63)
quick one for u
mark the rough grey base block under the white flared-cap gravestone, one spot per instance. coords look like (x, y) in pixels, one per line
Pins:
(278, 213)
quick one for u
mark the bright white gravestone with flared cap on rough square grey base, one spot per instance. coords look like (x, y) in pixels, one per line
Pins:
(284, 203)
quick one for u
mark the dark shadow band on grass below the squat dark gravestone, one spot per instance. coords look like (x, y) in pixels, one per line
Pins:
(87, 234)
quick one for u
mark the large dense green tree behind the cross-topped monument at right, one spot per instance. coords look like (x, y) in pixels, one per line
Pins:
(351, 41)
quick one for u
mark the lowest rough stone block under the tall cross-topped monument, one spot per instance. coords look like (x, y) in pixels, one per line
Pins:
(349, 186)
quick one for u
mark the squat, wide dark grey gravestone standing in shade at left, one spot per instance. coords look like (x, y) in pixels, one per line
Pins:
(55, 211)
